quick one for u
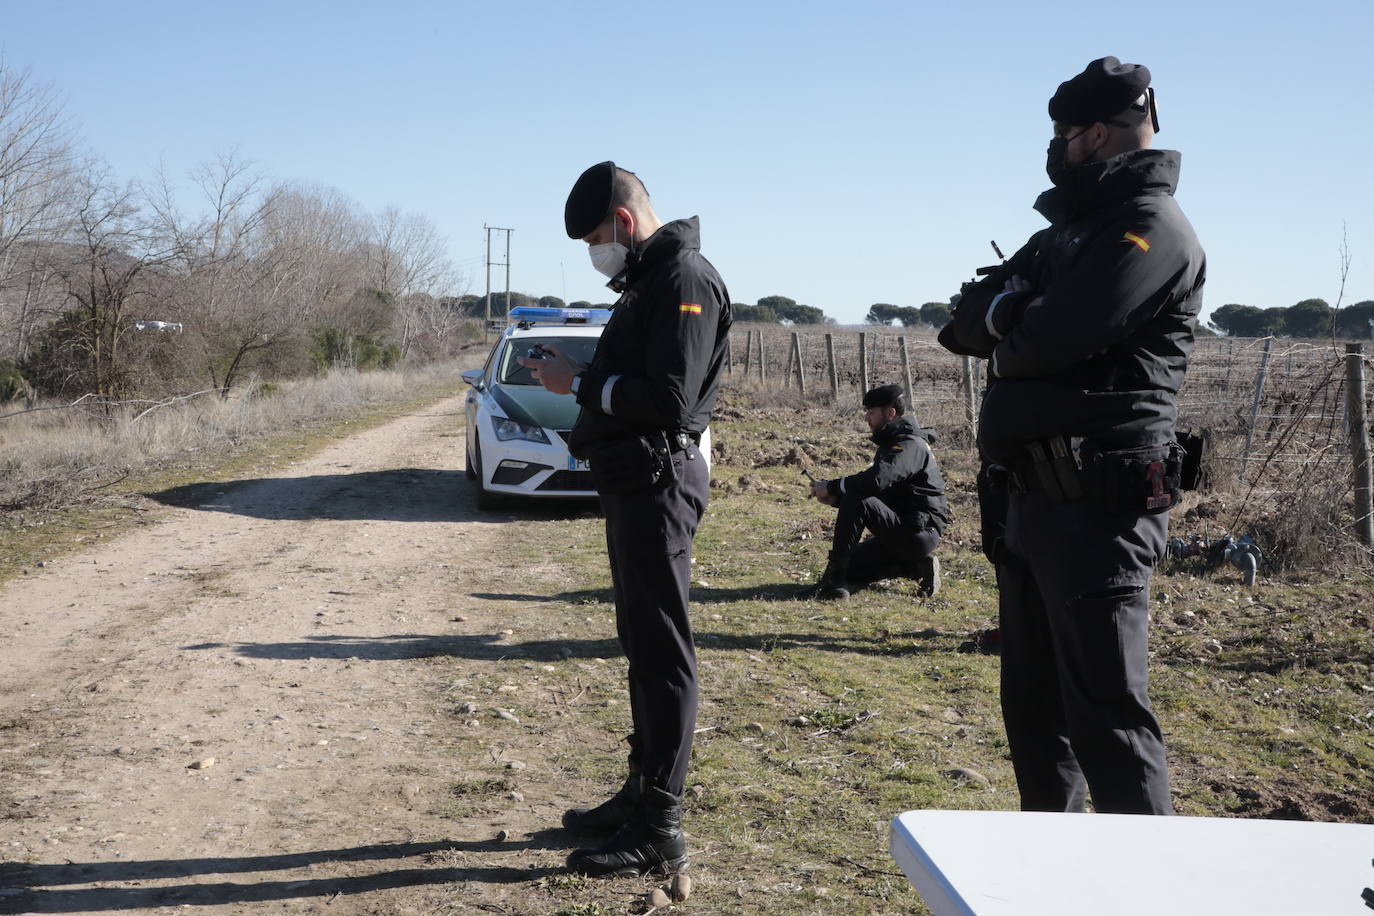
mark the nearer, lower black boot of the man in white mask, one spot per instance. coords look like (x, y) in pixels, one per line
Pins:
(651, 843)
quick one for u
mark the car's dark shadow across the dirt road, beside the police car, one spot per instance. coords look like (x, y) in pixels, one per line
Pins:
(396, 495)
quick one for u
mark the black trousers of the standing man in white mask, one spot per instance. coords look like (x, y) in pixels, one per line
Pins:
(649, 536)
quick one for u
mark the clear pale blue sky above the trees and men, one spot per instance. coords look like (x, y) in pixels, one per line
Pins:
(837, 154)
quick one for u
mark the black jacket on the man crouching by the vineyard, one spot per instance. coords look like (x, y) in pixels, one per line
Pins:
(905, 476)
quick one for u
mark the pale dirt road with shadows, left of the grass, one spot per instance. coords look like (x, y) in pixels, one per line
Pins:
(234, 709)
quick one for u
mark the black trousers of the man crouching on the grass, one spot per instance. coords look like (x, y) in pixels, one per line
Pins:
(892, 551)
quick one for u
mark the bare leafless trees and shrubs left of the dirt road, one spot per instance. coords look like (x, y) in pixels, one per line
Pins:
(119, 288)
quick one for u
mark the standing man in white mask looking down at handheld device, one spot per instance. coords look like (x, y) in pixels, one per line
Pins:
(646, 399)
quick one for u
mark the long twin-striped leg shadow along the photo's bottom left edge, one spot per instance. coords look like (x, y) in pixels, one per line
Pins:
(43, 893)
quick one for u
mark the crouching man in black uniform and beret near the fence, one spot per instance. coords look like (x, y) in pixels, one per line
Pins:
(901, 501)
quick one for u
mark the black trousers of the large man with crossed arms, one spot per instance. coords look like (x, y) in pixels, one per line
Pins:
(1075, 609)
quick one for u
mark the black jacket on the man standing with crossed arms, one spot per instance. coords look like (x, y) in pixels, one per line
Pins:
(1103, 356)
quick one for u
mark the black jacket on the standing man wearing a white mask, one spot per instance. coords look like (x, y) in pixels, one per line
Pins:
(666, 340)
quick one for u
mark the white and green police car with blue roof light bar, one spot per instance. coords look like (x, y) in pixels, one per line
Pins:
(517, 432)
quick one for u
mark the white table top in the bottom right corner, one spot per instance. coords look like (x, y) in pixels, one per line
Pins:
(1033, 865)
